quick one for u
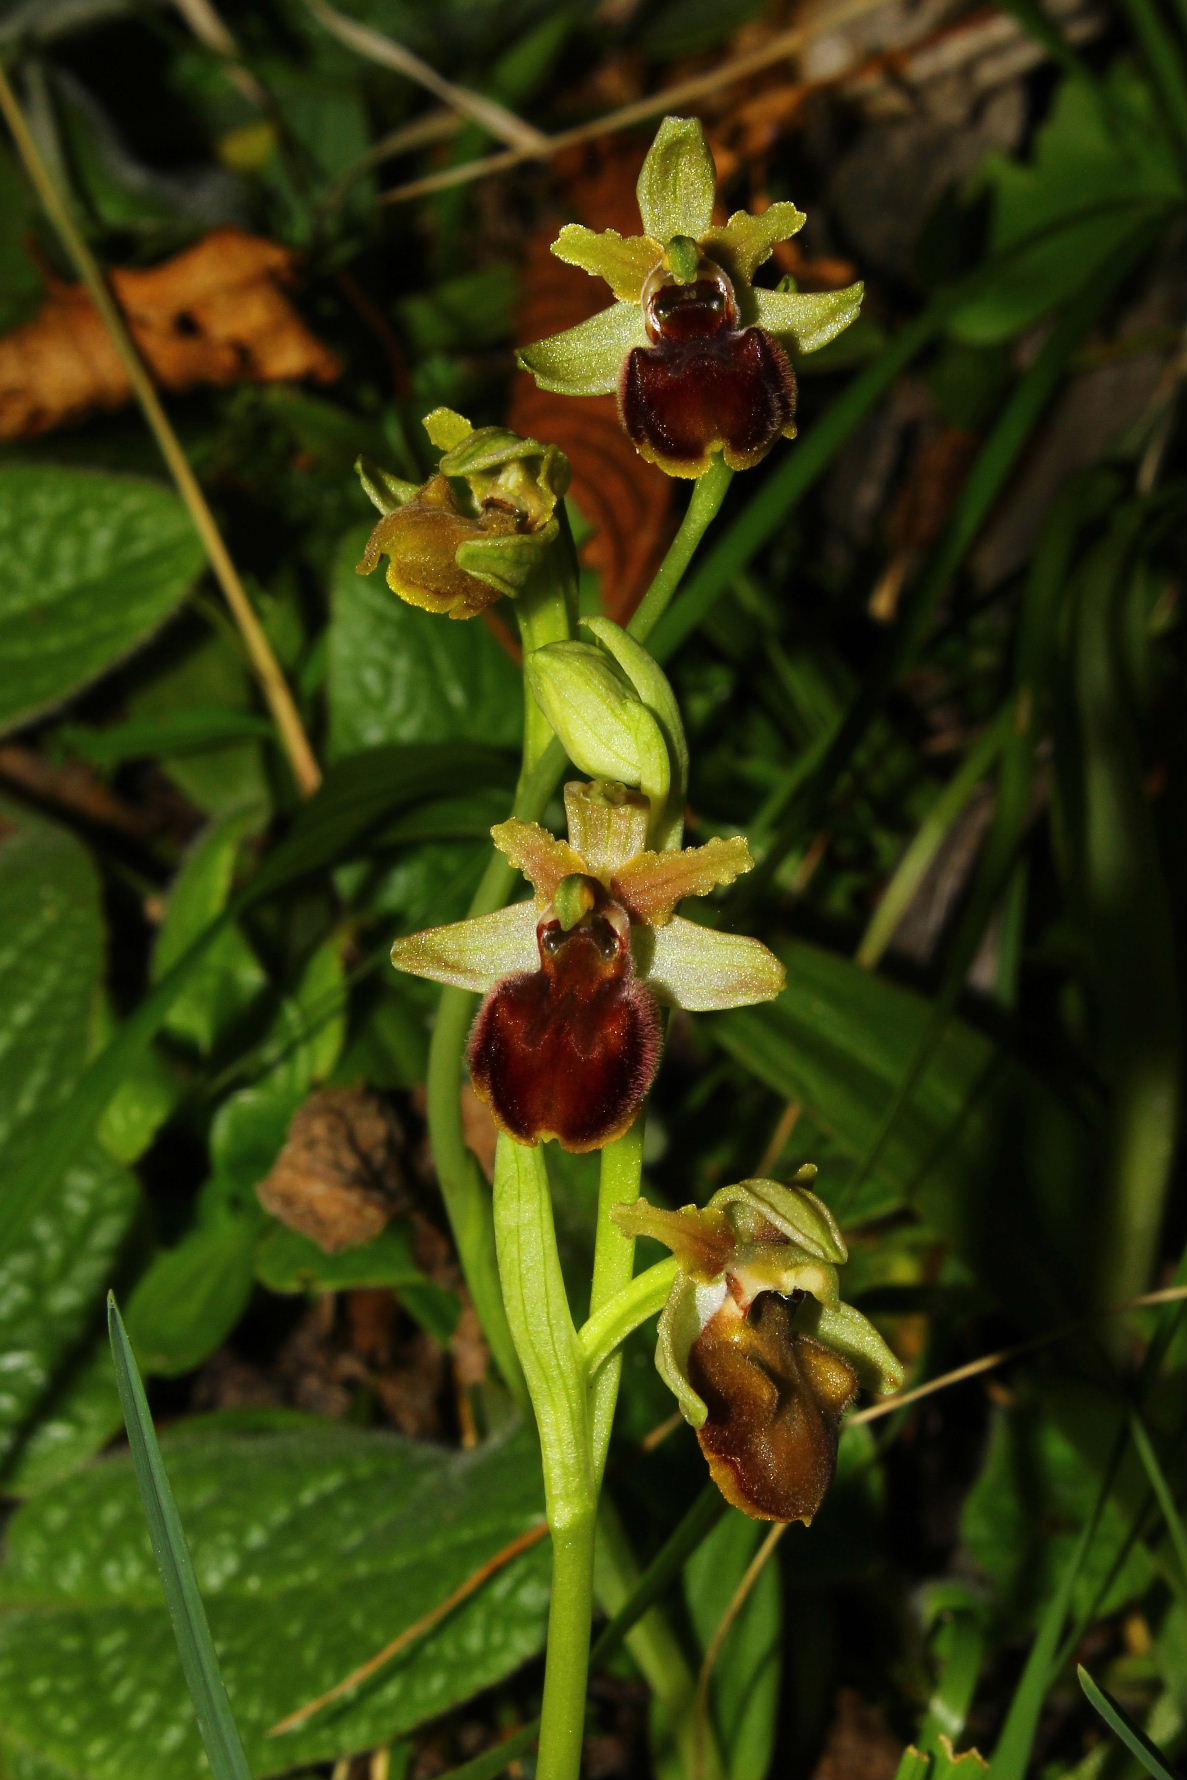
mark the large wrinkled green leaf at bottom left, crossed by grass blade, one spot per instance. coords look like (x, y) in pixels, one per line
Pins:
(312, 1551)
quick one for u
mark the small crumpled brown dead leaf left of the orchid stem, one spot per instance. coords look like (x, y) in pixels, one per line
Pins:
(339, 1177)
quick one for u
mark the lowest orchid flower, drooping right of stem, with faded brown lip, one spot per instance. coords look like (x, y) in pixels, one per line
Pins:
(755, 1343)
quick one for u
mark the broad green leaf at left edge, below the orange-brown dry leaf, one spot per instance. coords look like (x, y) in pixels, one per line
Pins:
(90, 567)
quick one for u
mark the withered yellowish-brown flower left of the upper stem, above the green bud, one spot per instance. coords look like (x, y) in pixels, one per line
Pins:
(478, 528)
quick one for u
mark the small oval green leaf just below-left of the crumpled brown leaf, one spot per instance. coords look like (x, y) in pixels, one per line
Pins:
(191, 1297)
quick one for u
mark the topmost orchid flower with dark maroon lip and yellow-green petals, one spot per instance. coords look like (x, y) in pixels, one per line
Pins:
(698, 355)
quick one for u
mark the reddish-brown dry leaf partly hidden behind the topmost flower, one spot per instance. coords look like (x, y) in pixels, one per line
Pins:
(627, 501)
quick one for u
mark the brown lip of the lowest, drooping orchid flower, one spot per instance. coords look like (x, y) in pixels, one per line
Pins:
(775, 1404)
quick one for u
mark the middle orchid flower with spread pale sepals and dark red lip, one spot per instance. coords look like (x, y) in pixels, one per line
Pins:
(569, 1039)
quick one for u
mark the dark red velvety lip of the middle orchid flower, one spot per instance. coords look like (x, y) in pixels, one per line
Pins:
(569, 1051)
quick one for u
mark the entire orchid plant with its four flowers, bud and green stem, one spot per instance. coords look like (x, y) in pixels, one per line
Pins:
(577, 982)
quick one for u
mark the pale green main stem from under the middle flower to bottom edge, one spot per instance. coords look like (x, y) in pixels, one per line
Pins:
(556, 1377)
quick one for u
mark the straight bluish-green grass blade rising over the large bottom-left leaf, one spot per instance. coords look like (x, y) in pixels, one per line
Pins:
(177, 1569)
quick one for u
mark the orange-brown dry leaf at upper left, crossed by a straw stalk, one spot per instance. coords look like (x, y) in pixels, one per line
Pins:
(214, 314)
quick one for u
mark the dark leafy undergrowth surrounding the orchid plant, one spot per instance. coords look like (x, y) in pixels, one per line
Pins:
(930, 663)
